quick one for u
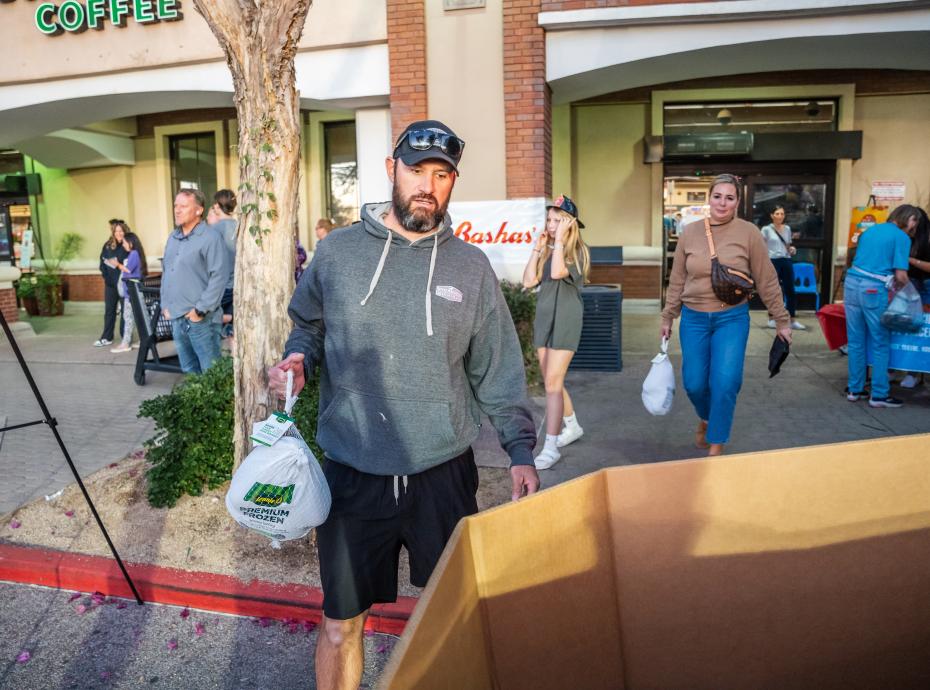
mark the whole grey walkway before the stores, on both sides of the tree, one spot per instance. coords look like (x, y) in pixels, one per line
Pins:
(91, 393)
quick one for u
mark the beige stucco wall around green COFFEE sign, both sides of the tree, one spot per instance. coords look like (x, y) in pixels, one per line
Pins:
(329, 23)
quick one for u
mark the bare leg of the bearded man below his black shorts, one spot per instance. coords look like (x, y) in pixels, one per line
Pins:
(340, 653)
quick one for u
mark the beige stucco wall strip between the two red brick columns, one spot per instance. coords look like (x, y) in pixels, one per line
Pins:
(466, 91)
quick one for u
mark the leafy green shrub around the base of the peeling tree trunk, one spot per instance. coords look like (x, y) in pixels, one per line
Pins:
(193, 443)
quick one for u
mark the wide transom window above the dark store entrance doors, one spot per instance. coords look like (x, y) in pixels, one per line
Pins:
(744, 117)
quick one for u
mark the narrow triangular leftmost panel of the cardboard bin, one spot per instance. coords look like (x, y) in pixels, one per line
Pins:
(450, 648)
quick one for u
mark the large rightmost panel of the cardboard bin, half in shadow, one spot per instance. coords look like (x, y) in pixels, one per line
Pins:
(805, 568)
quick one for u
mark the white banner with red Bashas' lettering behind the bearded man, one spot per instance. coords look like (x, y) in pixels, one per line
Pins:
(504, 230)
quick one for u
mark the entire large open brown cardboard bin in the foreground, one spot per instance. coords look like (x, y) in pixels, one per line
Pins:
(802, 568)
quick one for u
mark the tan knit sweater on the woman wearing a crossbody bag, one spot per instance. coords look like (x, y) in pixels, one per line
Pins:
(740, 245)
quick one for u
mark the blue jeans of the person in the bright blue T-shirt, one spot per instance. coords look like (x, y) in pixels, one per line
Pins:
(865, 300)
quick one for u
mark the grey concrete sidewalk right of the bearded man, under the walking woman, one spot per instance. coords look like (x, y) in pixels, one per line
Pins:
(804, 405)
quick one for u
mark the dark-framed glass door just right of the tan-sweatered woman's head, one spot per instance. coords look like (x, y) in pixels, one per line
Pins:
(808, 204)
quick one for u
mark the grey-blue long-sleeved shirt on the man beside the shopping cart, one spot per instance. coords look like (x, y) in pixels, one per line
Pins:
(195, 271)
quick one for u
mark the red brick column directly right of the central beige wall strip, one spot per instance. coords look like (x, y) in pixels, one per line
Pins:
(527, 102)
